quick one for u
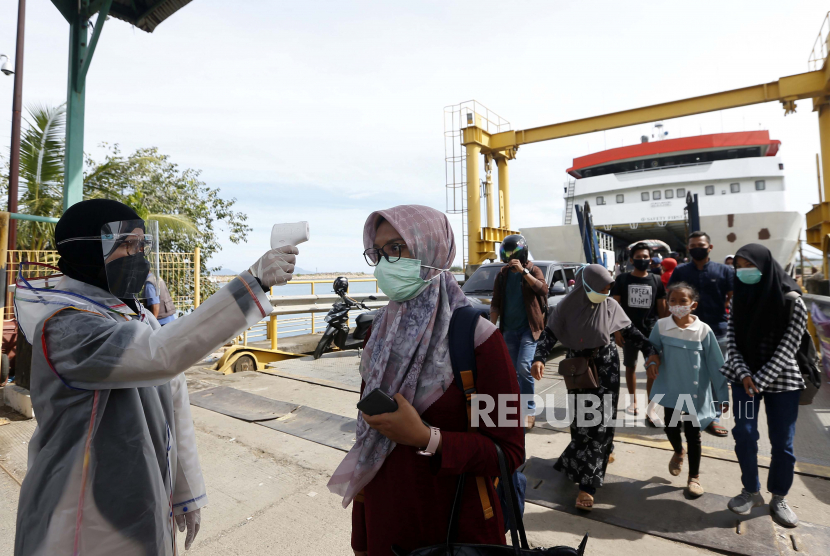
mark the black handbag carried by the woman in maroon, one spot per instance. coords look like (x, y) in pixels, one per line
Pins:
(518, 537)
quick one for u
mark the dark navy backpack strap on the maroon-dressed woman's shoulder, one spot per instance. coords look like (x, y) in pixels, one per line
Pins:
(463, 358)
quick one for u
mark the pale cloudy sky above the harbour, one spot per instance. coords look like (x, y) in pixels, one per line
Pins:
(325, 111)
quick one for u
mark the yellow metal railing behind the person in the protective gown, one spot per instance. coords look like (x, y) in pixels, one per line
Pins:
(180, 271)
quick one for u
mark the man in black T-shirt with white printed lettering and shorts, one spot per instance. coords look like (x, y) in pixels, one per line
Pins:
(643, 298)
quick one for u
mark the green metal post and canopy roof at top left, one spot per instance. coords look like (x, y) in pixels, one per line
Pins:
(144, 14)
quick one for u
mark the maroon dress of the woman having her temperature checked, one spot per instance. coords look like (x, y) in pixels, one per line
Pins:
(408, 502)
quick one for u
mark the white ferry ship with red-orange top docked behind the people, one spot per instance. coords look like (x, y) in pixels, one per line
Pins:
(639, 192)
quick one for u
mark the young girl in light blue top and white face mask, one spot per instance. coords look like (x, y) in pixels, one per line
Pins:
(688, 374)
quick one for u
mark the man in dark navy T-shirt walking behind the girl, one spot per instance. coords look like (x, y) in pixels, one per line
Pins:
(714, 283)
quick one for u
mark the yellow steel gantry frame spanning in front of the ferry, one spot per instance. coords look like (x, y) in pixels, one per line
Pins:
(502, 146)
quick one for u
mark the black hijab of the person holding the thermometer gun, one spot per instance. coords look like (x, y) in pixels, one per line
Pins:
(84, 260)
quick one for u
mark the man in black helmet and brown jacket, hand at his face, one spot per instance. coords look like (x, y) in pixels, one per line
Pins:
(519, 306)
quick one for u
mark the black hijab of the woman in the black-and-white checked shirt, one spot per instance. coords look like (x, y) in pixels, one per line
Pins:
(759, 310)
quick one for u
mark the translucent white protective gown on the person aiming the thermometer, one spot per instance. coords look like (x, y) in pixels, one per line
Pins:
(114, 455)
